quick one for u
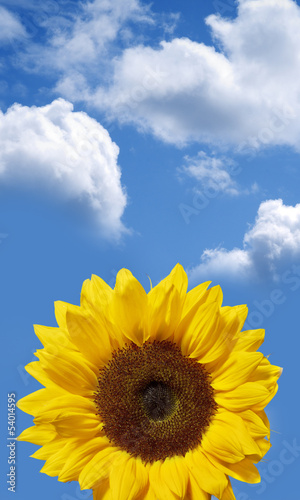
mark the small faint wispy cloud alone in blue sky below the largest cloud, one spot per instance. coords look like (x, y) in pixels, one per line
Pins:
(212, 172)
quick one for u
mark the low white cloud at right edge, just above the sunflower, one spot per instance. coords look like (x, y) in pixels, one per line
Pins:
(270, 245)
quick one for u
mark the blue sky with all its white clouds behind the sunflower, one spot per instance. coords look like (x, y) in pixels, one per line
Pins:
(140, 135)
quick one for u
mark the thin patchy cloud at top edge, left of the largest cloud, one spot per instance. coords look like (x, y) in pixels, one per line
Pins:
(79, 43)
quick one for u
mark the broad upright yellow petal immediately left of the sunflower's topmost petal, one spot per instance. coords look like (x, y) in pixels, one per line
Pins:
(128, 306)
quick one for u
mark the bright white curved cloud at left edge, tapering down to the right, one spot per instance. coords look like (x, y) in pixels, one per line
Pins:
(67, 153)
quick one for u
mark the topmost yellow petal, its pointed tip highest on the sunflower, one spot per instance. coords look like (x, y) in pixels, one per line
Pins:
(165, 303)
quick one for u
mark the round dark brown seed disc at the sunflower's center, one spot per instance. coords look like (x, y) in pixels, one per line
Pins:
(153, 401)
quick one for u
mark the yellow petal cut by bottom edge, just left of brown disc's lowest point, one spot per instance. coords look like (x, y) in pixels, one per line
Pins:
(128, 478)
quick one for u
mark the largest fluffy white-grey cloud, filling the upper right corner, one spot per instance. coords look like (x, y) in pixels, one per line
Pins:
(243, 91)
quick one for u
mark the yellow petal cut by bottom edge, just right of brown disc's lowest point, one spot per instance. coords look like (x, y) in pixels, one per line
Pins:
(169, 479)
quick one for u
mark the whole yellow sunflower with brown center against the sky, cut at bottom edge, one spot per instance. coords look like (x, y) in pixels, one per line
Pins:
(150, 396)
